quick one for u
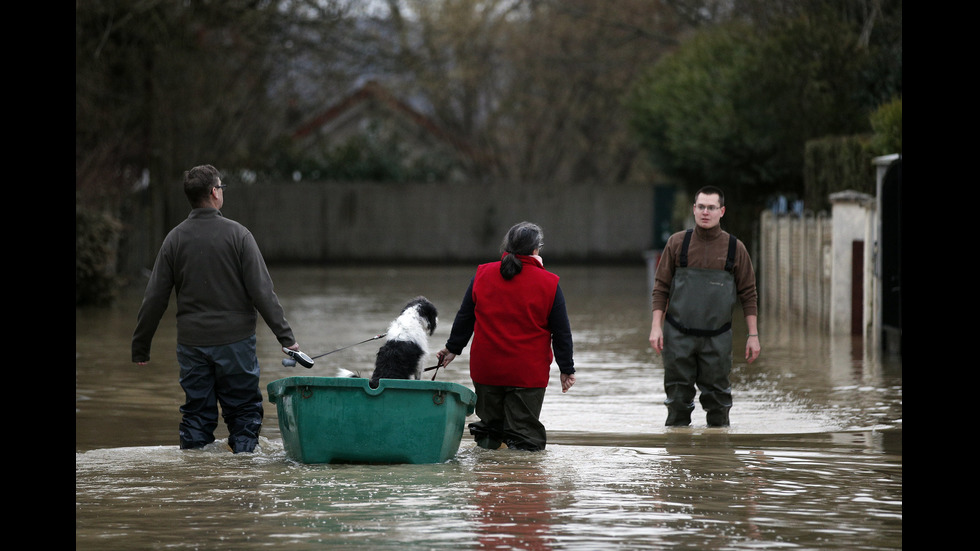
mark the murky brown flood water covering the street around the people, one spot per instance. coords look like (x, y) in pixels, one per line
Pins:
(813, 459)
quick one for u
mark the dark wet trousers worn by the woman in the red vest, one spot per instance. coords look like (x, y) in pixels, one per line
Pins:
(509, 415)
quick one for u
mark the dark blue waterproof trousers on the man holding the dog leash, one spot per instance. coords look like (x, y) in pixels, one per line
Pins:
(227, 375)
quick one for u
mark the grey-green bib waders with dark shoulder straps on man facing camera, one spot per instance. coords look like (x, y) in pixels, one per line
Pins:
(698, 340)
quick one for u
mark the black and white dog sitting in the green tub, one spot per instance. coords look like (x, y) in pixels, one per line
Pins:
(406, 343)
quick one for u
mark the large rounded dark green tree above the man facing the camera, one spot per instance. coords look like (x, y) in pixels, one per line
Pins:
(734, 106)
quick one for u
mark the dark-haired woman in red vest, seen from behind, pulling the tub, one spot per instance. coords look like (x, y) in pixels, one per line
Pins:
(515, 312)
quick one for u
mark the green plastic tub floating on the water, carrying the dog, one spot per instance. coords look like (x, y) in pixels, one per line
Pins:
(344, 420)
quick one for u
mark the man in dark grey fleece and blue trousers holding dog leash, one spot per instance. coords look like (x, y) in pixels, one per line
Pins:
(221, 280)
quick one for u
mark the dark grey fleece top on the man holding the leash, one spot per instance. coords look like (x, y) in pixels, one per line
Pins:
(221, 281)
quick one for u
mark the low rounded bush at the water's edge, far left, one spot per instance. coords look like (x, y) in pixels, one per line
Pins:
(96, 238)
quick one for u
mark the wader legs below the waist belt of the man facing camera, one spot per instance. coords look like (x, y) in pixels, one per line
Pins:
(705, 362)
